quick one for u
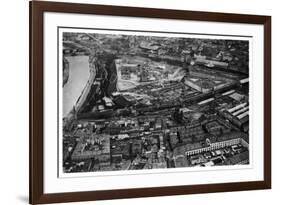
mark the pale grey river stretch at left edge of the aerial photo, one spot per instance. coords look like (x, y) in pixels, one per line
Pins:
(79, 73)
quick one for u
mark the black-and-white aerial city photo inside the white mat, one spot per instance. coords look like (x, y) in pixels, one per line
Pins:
(133, 102)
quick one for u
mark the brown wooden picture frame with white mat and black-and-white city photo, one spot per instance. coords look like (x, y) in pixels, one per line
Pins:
(139, 102)
